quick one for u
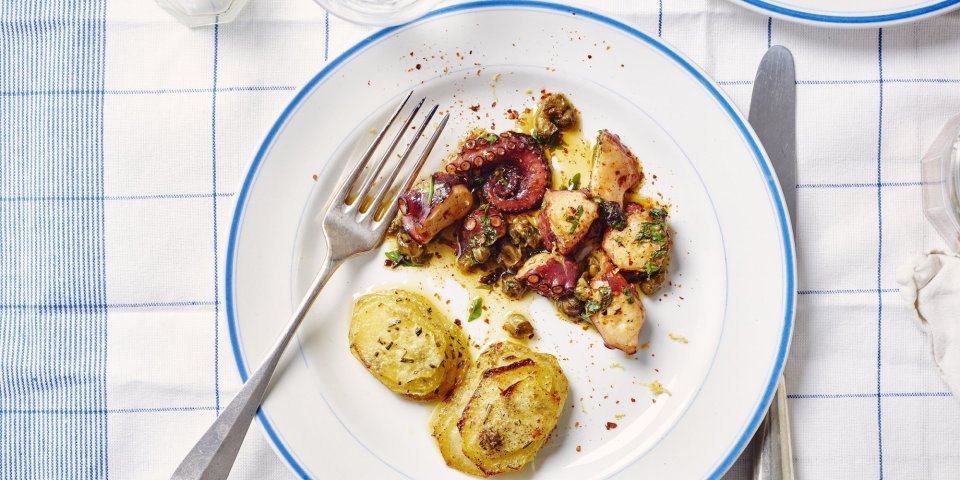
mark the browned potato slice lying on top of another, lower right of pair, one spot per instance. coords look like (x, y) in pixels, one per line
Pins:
(512, 412)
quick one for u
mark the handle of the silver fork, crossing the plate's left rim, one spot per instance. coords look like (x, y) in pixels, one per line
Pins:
(213, 455)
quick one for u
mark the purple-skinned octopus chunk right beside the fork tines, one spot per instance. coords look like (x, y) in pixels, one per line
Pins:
(434, 204)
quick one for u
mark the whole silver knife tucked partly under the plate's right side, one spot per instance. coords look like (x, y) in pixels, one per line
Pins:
(773, 116)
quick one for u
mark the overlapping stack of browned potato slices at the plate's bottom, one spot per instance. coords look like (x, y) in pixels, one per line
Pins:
(500, 416)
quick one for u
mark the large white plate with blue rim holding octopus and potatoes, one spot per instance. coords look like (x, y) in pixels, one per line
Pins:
(732, 293)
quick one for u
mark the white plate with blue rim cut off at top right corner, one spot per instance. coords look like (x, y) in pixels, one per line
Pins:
(851, 13)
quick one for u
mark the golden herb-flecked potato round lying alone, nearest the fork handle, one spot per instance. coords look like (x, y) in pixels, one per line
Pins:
(407, 344)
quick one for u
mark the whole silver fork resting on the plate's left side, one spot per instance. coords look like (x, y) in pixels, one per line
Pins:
(349, 231)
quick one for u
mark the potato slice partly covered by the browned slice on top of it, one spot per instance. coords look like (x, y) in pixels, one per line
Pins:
(443, 422)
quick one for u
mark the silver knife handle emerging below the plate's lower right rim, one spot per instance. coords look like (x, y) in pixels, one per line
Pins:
(773, 451)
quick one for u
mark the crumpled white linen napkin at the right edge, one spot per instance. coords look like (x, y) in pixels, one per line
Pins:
(931, 282)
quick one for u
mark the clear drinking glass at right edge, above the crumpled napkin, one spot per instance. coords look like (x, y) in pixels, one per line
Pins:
(940, 171)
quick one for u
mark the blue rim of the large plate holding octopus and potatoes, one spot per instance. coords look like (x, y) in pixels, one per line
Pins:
(759, 155)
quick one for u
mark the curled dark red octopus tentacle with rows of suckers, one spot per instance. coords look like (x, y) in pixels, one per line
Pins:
(514, 165)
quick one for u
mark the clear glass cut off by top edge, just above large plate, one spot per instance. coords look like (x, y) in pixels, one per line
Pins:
(378, 12)
